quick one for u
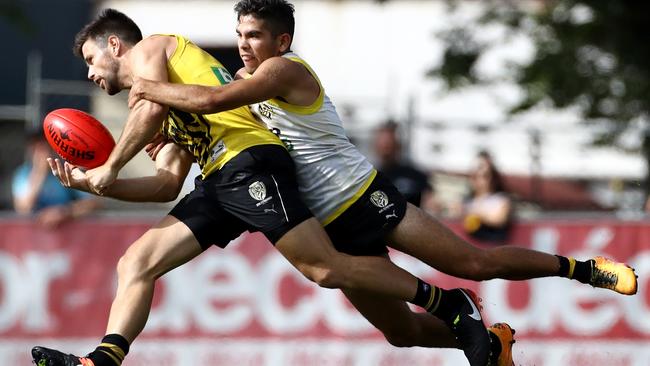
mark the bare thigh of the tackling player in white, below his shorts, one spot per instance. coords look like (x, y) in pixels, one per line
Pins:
(422, 236)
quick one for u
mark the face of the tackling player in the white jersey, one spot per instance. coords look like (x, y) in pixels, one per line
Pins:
(256, 42)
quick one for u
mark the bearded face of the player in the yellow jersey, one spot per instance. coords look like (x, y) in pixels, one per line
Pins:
(102, 67)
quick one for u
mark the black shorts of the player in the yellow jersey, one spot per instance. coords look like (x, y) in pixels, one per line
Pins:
(255, 191)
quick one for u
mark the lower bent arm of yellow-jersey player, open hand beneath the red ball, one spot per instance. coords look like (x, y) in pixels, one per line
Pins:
(172, 166)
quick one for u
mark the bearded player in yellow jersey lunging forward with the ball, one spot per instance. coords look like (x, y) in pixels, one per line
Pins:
(248, 182)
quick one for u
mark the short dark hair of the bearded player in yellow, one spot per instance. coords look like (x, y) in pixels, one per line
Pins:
(109, 22)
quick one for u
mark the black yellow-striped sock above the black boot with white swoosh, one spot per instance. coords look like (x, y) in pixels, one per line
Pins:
(437, 301)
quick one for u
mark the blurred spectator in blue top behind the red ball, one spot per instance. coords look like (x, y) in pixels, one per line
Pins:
(36, 191)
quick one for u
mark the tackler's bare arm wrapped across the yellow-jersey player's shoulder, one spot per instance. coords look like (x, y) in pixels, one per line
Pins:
(275, 77)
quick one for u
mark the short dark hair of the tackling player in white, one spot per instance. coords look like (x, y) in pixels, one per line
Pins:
(278, 14)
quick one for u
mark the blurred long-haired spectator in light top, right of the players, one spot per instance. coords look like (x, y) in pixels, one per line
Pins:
(488, 211)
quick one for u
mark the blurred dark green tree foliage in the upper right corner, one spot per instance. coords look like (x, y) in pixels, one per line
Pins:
(592, 55)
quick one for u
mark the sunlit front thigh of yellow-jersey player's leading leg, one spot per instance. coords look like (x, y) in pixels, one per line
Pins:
(167, 245)
